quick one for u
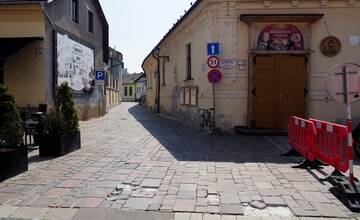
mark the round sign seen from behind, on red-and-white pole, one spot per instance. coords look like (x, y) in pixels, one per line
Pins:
(343, 83)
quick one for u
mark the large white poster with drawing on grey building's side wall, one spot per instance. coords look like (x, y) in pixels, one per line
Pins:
(75, 63)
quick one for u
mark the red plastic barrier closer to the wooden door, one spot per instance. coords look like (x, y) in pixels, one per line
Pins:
(302, 134)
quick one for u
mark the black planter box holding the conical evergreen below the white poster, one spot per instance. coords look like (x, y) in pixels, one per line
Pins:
(59, 146)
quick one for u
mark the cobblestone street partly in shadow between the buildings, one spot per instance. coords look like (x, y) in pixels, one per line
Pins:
(135, 160)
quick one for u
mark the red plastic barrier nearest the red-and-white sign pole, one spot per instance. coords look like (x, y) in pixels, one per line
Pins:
(331, 145)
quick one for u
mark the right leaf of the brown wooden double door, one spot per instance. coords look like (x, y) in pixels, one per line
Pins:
(293, 88)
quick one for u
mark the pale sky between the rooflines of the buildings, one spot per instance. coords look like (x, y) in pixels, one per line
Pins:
(136, 26)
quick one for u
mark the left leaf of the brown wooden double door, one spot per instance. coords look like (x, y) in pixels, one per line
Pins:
(266, 91)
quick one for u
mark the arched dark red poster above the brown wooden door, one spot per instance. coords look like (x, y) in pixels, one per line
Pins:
(280, 37)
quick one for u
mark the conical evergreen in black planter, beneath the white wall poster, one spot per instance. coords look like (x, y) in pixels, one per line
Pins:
(61, 134)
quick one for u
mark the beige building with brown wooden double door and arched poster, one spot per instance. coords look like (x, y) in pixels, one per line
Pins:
(275, 58)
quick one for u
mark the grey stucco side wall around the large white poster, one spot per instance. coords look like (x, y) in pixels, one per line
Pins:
(91, 104)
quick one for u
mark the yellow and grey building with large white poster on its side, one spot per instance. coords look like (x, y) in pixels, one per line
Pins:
(47, 43)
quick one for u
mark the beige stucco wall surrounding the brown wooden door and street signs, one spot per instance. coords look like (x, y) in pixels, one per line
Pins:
(218, 21)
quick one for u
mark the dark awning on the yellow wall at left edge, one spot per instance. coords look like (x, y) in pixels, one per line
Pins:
(11, 45)
